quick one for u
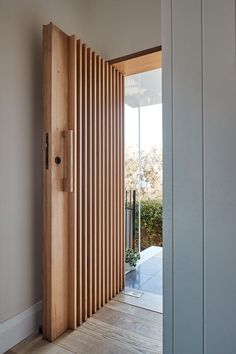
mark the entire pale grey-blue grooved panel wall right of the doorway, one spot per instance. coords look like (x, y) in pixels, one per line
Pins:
(200, 168)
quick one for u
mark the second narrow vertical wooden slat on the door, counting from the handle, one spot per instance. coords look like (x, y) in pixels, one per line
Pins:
(84, 181)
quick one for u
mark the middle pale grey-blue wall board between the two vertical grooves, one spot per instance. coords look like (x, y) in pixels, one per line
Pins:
(187, 177)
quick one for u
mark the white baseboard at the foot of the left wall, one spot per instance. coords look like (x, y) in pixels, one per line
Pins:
(19, 327)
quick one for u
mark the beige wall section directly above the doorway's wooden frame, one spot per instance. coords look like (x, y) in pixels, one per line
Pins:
(121, 27)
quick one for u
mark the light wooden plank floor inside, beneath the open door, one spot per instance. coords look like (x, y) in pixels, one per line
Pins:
(117, 328)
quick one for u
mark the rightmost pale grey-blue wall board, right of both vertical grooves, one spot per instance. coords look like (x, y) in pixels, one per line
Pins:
(220, 175)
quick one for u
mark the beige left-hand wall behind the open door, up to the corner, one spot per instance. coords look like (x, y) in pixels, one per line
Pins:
(20, 142)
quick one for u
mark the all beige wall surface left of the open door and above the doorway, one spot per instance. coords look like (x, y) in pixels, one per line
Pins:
(113, 28)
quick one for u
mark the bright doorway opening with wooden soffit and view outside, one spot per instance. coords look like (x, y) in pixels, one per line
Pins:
(143, 179)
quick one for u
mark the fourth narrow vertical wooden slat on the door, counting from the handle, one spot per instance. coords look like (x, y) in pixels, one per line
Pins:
(94, 181)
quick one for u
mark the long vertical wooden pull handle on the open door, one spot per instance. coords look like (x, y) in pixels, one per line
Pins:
(68, 179)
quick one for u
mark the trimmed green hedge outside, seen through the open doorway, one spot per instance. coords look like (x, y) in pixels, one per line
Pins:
(151, 223)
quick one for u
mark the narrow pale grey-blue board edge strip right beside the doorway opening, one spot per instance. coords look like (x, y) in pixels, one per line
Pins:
(167, 180)
